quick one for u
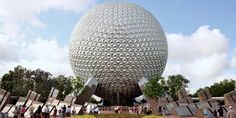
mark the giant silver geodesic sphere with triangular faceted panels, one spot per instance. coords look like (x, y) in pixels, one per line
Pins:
(118, 43)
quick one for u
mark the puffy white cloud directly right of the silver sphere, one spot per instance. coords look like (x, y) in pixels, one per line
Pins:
(201, 43)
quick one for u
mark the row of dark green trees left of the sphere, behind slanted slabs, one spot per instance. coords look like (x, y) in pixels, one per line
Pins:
(20, 80)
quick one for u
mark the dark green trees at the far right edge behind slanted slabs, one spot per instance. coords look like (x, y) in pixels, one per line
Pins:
(219, 89)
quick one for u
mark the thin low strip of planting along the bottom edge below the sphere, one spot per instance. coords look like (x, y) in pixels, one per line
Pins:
(116, 116)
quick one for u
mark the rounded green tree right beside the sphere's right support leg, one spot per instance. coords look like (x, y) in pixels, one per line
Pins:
(154, 88)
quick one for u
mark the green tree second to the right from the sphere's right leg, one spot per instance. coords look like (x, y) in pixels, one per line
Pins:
(175, 83)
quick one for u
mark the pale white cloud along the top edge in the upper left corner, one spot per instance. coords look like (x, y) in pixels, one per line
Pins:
(26, 11)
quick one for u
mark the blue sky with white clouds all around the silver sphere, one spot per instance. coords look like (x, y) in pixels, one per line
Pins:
(200, 35)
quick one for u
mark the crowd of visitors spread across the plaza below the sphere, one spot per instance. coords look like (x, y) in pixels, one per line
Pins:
(67, 111)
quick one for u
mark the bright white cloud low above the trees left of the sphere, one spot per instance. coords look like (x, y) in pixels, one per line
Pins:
(44, 54)
